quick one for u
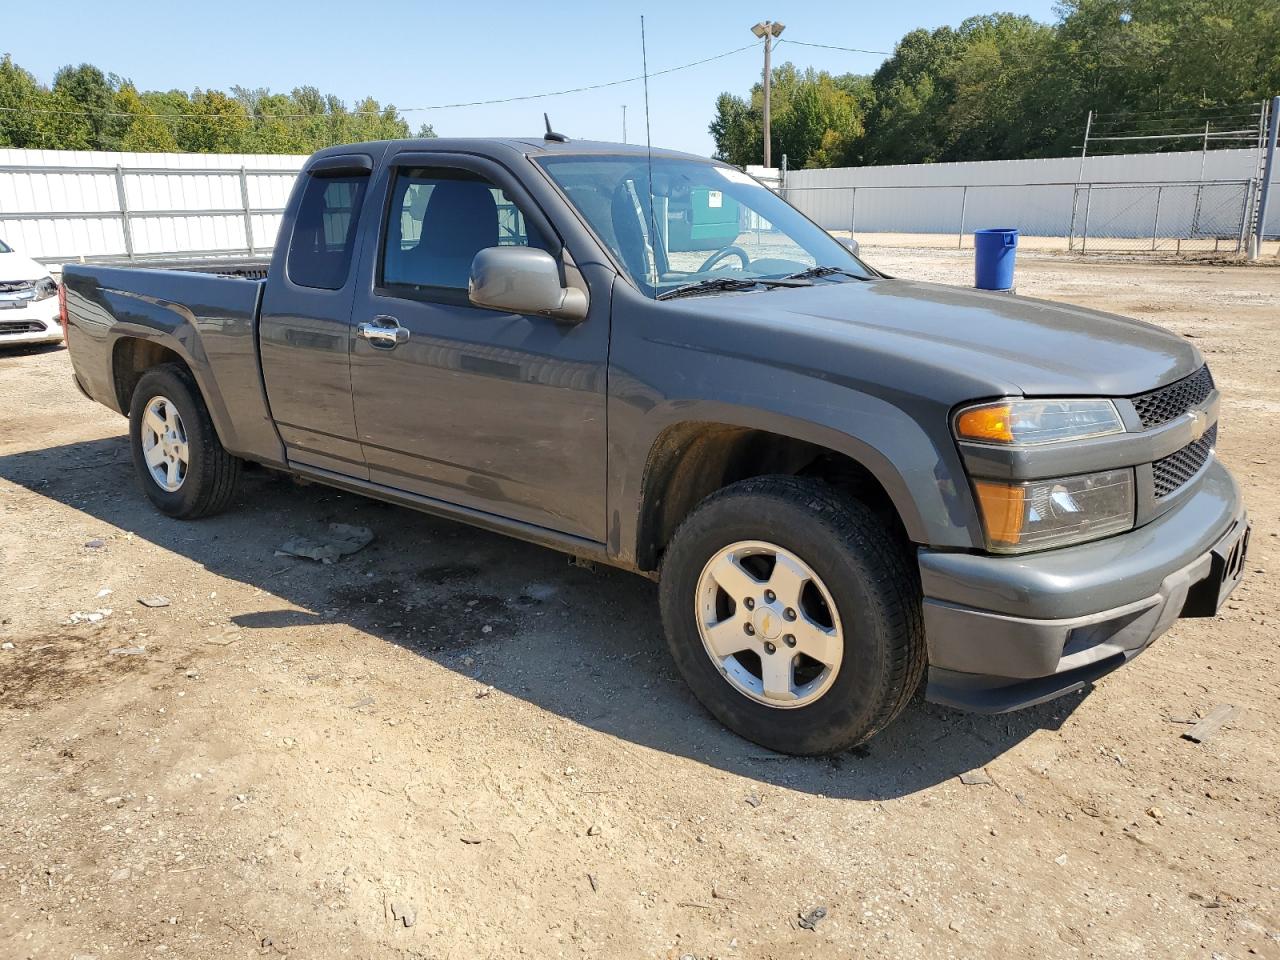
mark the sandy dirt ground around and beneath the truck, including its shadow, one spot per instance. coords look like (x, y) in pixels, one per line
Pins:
(467, 733)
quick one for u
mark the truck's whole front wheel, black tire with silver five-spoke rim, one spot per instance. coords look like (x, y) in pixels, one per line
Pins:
(857, 564)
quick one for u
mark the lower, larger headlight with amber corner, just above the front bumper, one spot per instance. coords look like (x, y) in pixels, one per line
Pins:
(1043, 514)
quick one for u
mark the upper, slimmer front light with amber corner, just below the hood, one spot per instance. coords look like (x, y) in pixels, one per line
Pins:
(1034, 422)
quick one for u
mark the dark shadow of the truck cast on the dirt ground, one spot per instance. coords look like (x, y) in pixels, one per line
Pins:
(583, 644)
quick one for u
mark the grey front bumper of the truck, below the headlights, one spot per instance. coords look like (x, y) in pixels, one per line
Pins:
(1007, 633)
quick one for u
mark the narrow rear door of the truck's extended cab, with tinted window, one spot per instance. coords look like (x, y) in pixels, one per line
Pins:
(305, 322)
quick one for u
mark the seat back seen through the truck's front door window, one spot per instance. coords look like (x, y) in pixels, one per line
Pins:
(461, 220)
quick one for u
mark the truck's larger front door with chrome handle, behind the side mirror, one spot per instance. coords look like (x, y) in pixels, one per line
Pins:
(495, 412)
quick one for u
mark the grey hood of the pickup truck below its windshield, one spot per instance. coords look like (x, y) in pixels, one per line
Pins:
(980, 344)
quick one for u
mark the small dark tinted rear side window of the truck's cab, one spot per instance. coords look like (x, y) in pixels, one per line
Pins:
(324, 234)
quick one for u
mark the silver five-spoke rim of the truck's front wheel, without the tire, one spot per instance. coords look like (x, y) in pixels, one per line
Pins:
(770, 624)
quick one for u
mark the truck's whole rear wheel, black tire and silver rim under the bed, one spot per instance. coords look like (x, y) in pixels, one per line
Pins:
(208, 482)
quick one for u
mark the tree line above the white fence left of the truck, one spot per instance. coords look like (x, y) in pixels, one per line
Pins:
(86, 109)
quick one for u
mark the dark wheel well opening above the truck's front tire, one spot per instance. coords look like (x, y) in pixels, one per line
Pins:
(691, 461)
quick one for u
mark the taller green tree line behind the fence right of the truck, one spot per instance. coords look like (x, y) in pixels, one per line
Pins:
(1004, 86)
